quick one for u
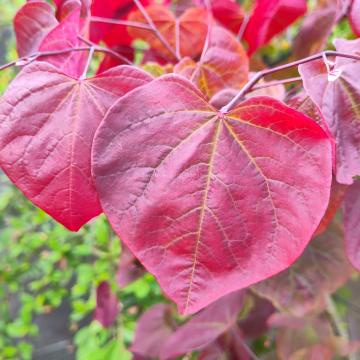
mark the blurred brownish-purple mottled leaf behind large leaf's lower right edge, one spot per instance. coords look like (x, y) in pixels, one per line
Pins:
(304, 287)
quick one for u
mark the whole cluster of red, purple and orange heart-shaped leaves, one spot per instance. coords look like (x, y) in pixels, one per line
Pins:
(214, 183)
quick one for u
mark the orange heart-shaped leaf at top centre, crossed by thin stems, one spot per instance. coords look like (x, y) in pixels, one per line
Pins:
(186, 35)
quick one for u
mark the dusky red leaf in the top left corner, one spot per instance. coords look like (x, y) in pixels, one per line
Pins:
(31, 24)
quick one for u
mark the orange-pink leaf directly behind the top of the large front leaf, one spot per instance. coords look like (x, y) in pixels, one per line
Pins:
(223, 65)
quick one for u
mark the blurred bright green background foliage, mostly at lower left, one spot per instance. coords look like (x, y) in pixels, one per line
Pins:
(49, 276)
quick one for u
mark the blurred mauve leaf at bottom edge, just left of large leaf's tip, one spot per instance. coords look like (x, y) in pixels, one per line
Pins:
(153, 329)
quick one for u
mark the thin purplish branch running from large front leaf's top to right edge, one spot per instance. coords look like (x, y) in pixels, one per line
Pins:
(249, 86)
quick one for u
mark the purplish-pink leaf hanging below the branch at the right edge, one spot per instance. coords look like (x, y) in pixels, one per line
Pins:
(338, 101)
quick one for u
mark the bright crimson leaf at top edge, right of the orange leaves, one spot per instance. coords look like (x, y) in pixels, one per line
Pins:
(269, 18)
